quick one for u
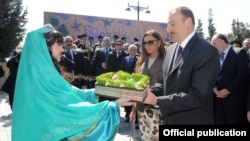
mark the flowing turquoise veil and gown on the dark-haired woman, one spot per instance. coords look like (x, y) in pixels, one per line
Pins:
(47, 108)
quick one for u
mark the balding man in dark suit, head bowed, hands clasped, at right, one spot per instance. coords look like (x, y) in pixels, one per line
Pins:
(231, 87)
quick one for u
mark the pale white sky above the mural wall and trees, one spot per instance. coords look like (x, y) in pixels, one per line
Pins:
(224, 11)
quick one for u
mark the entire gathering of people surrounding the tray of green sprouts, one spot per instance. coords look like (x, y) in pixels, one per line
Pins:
(193, 81)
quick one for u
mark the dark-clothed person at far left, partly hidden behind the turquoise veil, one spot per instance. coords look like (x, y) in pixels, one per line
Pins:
(12, 64)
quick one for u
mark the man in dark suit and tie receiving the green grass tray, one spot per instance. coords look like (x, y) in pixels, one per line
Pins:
(188, 78)
